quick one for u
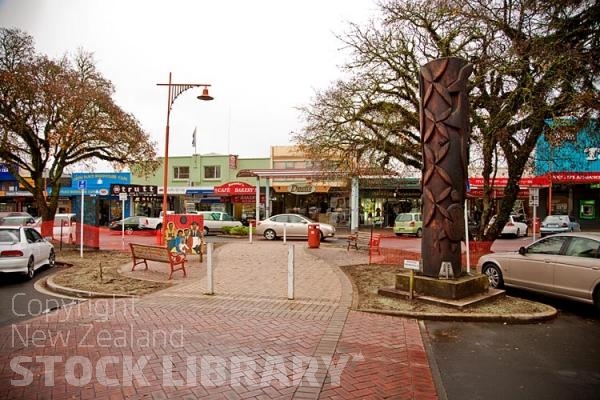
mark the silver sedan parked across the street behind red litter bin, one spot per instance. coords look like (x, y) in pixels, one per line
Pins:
(296, 225)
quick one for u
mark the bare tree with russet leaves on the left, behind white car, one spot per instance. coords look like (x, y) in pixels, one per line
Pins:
(59, 113)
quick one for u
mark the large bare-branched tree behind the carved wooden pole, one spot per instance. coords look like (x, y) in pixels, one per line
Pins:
(533, 60)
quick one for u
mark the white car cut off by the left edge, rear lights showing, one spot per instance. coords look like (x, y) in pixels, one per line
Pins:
(24, 250)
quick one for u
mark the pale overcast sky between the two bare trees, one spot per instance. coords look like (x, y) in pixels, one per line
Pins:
(263, 58)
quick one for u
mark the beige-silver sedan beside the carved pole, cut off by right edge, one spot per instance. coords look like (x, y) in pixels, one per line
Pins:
(564, 264)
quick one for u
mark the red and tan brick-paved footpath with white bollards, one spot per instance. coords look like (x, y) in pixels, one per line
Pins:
(246, 341)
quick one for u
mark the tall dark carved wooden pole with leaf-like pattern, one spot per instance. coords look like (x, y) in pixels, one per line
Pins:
(444, 140)
